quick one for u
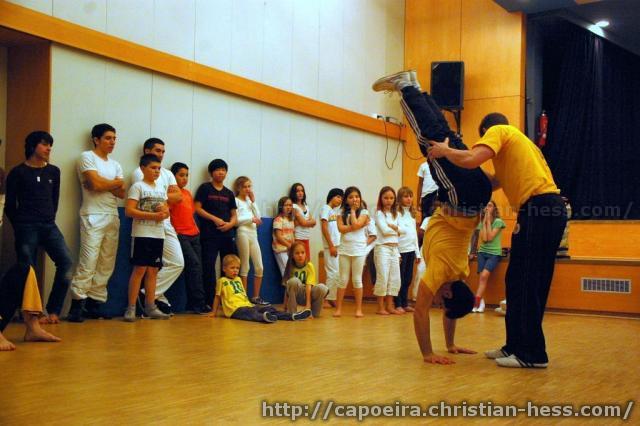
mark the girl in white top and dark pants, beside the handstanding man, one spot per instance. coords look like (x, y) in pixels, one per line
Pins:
(407, 245)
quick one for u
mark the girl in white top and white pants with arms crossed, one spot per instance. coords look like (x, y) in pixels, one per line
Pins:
(386, 255)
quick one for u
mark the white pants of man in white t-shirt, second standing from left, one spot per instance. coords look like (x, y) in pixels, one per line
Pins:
(97, 258)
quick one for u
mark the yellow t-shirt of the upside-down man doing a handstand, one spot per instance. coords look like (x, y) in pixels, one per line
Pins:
(446, 248)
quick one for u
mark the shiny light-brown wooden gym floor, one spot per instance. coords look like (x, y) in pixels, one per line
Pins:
(198, 370)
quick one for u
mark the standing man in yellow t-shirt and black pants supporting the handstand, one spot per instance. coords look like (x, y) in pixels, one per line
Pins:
(523, 173)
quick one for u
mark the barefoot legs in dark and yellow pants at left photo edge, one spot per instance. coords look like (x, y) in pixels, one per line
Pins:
(20, 288)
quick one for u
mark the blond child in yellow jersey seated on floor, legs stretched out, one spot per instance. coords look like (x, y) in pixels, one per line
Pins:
(235, 303)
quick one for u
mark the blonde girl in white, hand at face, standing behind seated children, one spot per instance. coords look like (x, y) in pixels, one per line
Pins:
(247, 236)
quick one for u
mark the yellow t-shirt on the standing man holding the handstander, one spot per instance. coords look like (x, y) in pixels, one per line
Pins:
(520, 166)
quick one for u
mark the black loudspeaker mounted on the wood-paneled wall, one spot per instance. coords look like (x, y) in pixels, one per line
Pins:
(447, 84)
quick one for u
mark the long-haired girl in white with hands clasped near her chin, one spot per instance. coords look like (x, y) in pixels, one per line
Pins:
(353, 247)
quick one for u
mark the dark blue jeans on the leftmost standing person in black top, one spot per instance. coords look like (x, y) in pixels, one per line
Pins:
(47, 235)
